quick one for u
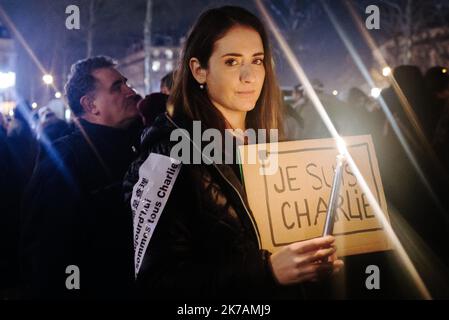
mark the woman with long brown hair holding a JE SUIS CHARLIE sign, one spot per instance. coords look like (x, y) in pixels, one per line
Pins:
(202, 240)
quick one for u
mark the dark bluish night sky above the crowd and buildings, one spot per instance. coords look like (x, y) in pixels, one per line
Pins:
(120, 24)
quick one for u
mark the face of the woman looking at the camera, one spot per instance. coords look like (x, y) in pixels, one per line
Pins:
(236, 73)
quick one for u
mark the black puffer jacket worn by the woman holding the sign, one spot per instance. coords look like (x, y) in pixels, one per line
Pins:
(206, 244)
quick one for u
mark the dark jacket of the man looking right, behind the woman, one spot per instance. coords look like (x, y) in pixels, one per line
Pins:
(74, 215)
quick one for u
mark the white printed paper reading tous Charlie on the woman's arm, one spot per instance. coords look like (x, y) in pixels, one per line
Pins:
(157, 175)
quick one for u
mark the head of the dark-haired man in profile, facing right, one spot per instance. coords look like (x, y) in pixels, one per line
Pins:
(98, 93)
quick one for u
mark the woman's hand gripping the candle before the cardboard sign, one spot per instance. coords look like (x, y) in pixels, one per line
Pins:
(309, 260)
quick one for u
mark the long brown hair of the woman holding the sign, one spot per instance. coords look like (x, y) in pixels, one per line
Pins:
(187, 97)
